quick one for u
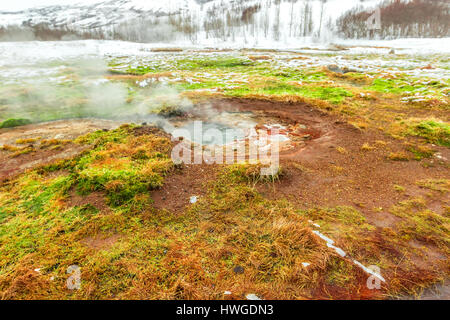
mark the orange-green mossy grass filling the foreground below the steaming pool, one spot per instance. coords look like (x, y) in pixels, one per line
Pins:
(134, 250)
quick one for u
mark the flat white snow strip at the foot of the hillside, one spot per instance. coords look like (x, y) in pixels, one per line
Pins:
(13, 53)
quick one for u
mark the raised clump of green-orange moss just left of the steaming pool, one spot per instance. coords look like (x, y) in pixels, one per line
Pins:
(141, 169)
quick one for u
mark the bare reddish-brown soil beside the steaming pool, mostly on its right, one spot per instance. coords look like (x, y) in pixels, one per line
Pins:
(319, 173)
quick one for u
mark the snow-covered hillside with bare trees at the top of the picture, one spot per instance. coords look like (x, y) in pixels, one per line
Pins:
(198, 21)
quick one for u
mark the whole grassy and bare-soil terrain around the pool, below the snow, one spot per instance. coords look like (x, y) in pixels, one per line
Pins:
(363, 179)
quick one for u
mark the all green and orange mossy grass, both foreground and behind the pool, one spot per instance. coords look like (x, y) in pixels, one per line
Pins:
(129, 249)
